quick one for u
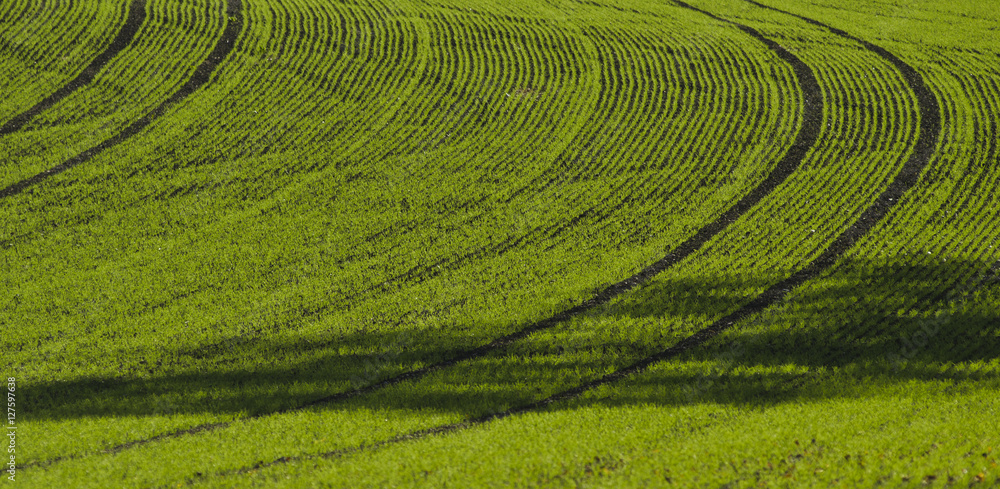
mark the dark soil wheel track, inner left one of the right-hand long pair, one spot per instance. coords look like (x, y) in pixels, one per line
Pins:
(812, 114)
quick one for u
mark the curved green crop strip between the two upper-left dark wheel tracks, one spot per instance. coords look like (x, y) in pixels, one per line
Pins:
(112, 101)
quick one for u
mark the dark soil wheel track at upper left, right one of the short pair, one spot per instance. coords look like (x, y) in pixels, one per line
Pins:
(200, 77)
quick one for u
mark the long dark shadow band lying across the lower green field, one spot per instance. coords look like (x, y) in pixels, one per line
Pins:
(882, 323)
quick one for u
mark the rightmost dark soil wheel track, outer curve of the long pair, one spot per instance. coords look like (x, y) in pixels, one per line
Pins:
(930, 130)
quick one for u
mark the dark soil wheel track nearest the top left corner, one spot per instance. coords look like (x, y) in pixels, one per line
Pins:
(135, 19)
